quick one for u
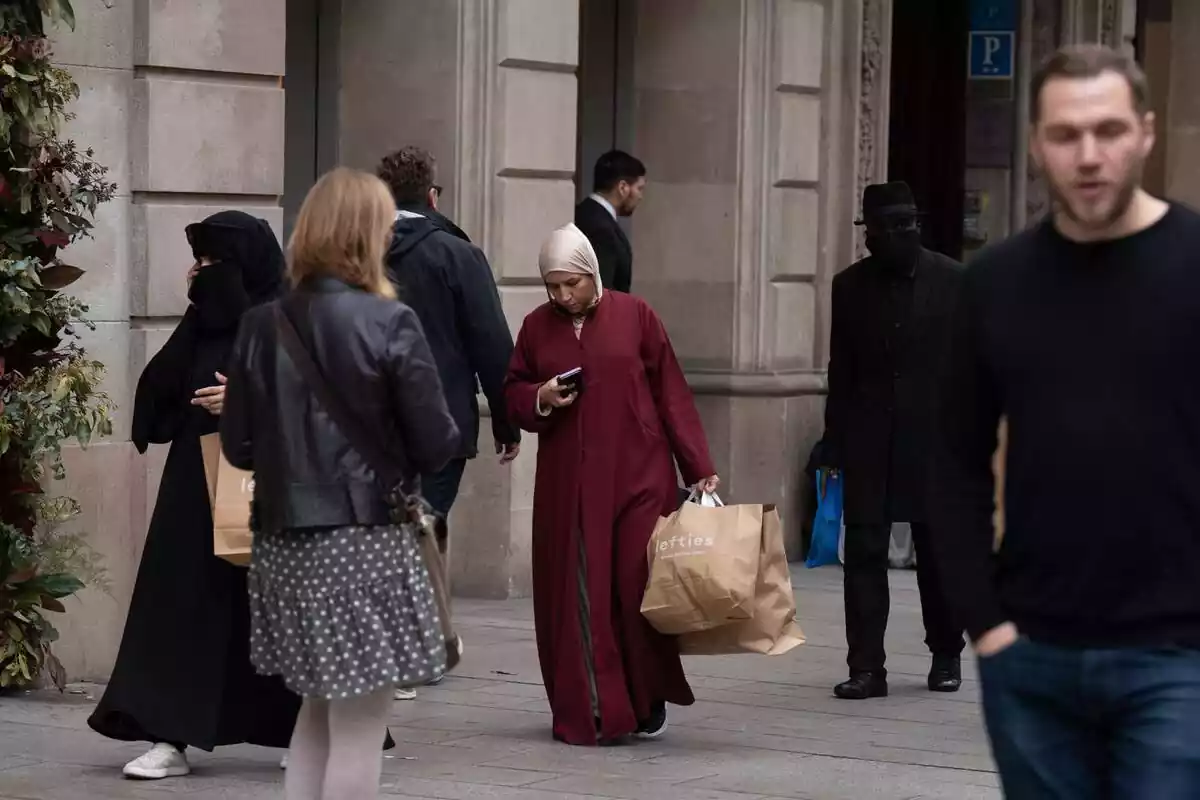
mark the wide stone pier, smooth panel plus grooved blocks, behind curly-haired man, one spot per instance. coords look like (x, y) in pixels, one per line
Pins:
(489, 87)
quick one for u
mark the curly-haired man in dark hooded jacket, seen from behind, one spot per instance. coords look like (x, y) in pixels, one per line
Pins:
(449, 284)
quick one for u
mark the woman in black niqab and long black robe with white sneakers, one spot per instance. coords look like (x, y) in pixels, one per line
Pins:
(184, 677)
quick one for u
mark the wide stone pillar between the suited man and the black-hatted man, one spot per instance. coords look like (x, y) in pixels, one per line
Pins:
(745, 116)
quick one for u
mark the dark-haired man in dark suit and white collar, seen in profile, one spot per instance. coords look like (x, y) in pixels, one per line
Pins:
(617, 187)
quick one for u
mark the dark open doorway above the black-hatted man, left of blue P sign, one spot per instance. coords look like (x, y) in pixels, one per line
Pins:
(927, 136)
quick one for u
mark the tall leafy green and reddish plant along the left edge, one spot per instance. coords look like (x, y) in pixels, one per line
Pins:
(50, 389)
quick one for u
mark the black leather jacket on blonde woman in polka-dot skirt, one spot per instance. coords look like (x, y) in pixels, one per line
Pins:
(370, 350)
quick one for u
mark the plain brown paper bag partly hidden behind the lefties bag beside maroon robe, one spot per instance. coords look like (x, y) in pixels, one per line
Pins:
(772, 629)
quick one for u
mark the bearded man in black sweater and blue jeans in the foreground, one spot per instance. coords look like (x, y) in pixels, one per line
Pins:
(1084, 333)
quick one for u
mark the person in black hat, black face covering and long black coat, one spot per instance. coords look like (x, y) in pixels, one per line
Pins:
(891, 314)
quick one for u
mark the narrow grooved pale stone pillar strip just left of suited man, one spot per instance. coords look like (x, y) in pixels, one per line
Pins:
(517, 169)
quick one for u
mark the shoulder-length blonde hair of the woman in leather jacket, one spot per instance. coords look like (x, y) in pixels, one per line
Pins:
(344, 232)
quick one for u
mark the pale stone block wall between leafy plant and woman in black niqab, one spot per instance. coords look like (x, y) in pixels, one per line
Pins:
(185, 104)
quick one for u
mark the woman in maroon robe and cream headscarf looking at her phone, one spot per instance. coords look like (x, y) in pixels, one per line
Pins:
(609, 442)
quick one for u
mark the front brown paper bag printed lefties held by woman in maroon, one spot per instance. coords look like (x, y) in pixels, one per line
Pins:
(704, 568)
